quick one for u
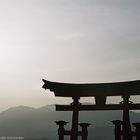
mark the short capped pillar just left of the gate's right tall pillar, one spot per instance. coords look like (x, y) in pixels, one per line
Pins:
(118, 129)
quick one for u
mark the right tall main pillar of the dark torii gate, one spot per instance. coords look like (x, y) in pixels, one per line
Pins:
(127, 134)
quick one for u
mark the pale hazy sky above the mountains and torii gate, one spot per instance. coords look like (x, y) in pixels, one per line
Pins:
(65, 41)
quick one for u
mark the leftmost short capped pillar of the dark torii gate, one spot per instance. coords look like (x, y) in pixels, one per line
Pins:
(61, 129)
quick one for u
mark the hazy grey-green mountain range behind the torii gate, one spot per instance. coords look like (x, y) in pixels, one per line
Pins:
(39, 122)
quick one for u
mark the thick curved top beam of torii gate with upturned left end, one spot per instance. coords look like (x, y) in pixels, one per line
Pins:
(93, 89)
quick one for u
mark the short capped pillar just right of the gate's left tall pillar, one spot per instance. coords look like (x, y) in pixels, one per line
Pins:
(84, 130)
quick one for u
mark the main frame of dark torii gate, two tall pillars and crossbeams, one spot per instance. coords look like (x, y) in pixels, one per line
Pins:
(100, 91)
